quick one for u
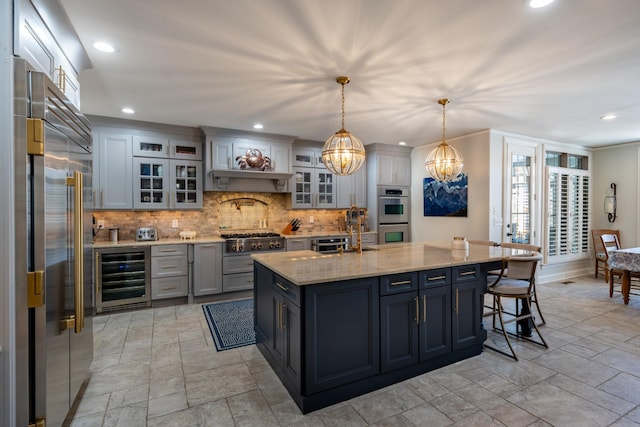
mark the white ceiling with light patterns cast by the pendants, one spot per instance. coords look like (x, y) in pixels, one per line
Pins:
(549, 73)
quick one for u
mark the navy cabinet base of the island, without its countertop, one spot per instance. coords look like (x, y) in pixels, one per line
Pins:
(329, 342)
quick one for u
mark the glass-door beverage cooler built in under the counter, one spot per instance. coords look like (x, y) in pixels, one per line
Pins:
(123, 278)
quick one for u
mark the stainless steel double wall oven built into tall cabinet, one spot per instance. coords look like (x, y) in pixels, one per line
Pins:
(393, 214)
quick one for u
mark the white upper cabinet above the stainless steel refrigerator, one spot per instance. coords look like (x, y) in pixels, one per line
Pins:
(46, 39)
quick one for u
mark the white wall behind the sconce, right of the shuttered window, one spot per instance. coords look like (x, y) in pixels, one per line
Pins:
(618, 164)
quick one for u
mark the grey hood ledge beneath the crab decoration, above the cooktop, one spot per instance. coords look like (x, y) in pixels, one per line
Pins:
(247, 181)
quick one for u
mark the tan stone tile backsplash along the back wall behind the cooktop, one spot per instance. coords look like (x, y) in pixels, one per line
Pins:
(222, 210)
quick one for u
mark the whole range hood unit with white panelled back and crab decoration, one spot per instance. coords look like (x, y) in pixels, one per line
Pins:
(246, 161)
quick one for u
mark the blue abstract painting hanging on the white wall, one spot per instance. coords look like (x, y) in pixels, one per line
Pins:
(445, 198)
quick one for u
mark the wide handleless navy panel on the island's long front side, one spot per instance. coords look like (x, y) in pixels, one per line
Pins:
(342, 333)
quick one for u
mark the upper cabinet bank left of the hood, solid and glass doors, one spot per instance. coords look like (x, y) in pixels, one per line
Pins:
(146, 166)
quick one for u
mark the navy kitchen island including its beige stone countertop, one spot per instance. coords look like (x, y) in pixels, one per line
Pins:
(336, 326)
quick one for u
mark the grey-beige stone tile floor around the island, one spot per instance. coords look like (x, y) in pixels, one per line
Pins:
(158, 367)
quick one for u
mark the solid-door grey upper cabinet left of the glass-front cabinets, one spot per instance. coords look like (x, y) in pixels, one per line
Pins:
(113, 170)
